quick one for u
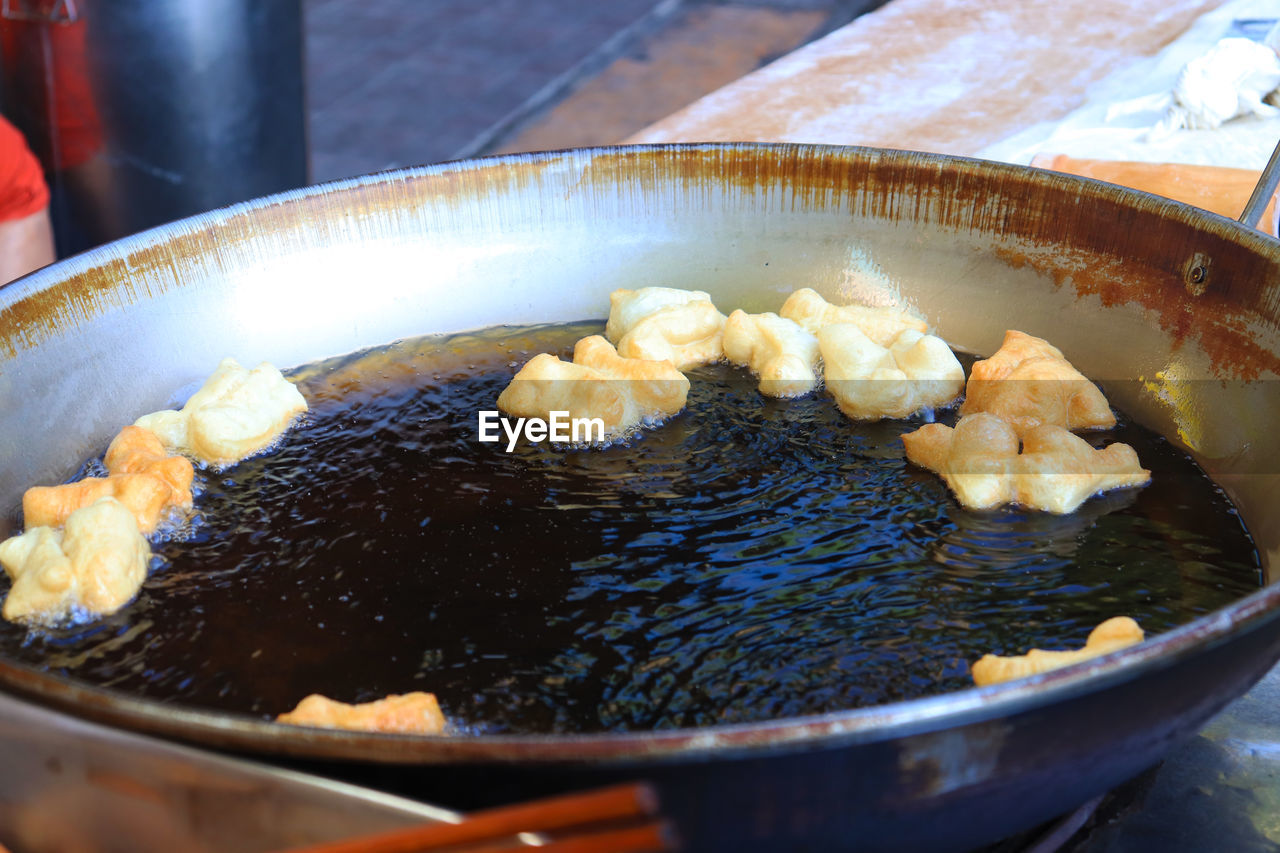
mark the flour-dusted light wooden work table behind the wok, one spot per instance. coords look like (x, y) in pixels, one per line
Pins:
(944, 76)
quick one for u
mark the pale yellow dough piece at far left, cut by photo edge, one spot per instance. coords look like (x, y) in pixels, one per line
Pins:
(97, 564)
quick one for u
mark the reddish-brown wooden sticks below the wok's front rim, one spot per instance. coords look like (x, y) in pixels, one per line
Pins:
(550, 815)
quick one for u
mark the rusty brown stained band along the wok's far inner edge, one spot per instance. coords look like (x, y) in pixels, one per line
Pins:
(949, 193)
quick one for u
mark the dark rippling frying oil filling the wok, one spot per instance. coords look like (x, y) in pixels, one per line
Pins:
(749, 560)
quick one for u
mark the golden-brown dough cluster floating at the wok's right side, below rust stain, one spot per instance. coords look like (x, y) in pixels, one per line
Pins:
(1013, 443)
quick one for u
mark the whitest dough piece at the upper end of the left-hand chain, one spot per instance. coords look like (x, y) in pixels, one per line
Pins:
(236, 414)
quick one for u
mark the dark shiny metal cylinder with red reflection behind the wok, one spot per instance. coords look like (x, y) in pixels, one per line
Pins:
(149, 111)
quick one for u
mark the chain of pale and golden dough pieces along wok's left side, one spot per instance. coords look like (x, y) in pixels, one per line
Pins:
(98, 563)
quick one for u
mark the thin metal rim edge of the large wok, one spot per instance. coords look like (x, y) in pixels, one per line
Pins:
(811, 732)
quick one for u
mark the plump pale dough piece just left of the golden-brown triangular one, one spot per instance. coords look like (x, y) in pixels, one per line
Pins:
(871, 382)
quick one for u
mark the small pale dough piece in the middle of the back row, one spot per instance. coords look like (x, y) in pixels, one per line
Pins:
(779, 352)
